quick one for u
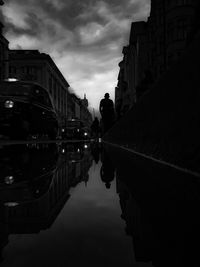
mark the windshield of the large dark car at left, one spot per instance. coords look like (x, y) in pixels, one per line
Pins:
(14, 90)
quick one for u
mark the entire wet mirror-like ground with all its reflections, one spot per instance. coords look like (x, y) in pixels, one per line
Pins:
(86, 204)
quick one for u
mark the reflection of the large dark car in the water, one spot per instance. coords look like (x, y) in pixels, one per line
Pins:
(26, 172)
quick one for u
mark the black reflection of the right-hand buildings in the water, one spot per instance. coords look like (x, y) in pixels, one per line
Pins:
(160, 207)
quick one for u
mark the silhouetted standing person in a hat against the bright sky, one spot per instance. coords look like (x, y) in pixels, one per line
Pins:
(106, 109)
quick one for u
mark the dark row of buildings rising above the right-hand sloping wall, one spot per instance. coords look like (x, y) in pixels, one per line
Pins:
(153, 47)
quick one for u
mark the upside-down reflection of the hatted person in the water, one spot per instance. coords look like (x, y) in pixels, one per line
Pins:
(107, 171)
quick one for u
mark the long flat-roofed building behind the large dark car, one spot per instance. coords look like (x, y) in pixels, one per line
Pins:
(39, 67)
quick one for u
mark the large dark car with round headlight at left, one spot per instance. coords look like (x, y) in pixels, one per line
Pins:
(26, 109)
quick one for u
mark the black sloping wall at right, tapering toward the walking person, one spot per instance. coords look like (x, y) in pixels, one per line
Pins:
(164, 124)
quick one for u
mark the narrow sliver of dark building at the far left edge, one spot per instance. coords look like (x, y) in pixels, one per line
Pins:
(3, 55)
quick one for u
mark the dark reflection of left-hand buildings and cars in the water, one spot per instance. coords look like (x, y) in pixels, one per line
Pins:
(35, 180)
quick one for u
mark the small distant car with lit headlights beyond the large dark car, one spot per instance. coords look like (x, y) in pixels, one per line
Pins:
(75, 129)
